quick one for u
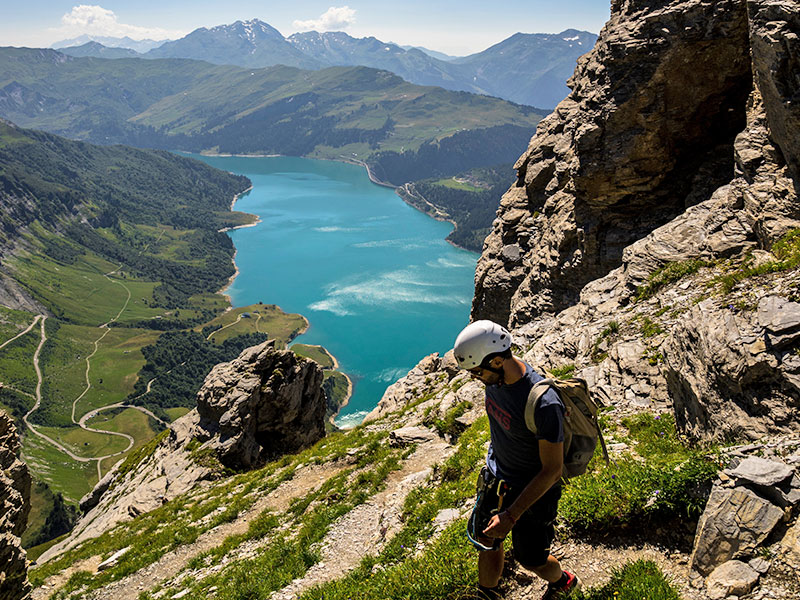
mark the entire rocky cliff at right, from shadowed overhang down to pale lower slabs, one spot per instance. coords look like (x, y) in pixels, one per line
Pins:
(674, 158)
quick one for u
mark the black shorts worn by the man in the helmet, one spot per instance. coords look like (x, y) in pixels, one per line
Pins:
(534, 531)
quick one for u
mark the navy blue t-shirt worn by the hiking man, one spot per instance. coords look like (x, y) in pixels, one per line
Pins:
(514, 451)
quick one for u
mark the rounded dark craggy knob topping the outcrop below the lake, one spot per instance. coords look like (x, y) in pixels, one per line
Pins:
(263, 403)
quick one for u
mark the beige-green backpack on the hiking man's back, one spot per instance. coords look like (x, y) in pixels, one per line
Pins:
(581, 428)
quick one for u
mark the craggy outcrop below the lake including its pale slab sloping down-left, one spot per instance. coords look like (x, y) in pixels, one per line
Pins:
(262, 403)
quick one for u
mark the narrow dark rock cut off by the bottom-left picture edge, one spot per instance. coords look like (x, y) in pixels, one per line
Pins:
(15, 494)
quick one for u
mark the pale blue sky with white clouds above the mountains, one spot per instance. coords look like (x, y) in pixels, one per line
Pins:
(455, 27)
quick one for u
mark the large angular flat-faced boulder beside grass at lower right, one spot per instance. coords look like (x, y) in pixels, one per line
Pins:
(735, 522)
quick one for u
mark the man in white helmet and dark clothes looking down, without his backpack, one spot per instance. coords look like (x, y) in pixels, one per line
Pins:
(524, 469)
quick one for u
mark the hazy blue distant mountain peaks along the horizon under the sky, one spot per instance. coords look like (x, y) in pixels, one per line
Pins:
(529, 69)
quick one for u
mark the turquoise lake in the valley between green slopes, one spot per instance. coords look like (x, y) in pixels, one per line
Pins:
(378, 284)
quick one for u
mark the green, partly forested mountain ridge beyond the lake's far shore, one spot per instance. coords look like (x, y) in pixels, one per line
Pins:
(403, 131)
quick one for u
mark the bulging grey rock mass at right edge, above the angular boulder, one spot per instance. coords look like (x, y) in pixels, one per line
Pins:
(724, 378)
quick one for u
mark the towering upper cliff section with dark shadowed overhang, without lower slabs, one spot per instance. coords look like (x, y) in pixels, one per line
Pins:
(646, 131)
